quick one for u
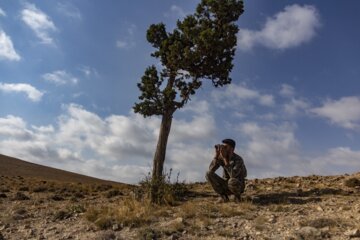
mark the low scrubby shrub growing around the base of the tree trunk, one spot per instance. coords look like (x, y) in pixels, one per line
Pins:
(167, 192)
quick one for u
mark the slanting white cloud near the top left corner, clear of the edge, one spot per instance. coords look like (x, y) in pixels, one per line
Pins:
(39, 22)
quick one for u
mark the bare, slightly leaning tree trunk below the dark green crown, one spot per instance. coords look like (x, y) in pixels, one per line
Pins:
(159, 157)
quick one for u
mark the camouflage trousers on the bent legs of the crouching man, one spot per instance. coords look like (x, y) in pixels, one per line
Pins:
(225, 186)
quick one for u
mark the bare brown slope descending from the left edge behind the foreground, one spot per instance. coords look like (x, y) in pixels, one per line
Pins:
(10, 166)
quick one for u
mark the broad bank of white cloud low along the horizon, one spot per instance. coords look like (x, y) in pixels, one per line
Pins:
(121, 147)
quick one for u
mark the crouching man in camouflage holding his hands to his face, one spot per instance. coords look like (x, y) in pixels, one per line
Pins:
(233, 180)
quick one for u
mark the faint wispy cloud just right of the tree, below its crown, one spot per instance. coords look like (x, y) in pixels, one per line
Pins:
(233, 95)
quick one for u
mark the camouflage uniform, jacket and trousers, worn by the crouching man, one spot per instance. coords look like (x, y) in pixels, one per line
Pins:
(233, 180)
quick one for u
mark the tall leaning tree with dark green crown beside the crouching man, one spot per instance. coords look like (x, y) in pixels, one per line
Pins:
(201, 47)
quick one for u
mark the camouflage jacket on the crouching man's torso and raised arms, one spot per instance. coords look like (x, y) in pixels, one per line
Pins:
(235, 169)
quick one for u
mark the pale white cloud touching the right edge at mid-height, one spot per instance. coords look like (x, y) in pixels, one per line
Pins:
(344, 112)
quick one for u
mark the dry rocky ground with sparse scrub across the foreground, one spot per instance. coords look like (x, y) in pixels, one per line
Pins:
(313, 207)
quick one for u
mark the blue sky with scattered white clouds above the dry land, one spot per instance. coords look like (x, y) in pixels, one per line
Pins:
(69, 74)
